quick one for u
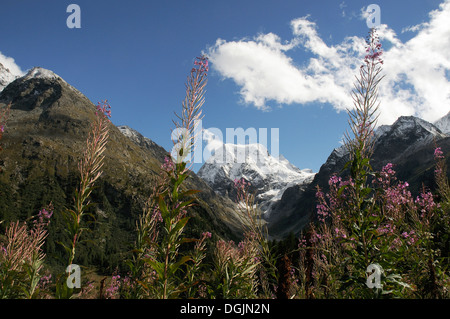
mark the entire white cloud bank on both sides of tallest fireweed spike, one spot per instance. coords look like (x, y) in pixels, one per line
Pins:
(416, 72)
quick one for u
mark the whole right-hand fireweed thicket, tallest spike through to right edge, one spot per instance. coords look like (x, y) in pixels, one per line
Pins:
(370, 217)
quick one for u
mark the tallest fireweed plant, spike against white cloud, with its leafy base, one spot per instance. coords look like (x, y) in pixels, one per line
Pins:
(345, 242)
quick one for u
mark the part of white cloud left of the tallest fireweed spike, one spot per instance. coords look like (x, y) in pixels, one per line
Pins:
(264, 72)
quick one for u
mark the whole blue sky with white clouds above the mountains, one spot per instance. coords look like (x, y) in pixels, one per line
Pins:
(137, 54)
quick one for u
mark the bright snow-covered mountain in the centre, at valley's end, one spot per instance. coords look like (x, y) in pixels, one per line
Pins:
(269, 176)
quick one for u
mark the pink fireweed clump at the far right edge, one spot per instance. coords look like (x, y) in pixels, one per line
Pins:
(431, 222)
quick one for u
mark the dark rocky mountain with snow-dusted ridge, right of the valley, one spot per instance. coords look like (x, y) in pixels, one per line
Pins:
(409, 144)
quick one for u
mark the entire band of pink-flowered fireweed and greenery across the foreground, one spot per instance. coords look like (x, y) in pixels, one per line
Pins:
(364, 218)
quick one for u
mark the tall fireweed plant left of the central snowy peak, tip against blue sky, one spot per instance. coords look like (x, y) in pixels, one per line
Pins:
(161, 227)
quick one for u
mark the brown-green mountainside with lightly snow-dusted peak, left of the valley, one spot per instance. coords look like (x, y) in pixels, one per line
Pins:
(42, 144)
